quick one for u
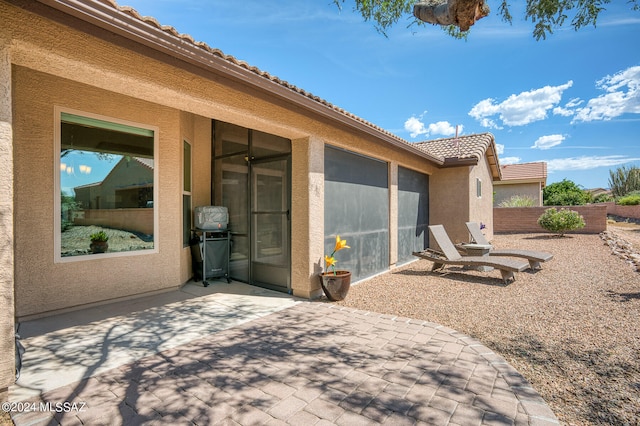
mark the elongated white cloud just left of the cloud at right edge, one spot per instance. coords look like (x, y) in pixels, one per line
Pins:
(521, 109)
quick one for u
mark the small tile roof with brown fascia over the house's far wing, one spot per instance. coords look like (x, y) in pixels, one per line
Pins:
(464, 150)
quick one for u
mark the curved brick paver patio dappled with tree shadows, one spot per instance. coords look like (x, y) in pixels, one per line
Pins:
(311, 364)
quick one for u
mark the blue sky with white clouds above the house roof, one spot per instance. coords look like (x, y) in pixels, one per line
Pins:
(572, 100)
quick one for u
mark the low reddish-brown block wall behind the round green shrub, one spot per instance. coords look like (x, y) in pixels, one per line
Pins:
(525, 219)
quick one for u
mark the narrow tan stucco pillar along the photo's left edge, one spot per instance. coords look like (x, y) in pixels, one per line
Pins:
(7, 362)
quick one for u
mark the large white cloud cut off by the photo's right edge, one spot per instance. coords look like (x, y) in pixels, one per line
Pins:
(622, 96)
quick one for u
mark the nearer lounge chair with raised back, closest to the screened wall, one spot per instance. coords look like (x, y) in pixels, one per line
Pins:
(451, 256)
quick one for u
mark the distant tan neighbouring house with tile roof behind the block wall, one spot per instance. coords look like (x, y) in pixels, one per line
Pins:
(522, 179)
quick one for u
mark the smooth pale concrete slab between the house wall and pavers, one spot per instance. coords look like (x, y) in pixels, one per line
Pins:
(65, 348)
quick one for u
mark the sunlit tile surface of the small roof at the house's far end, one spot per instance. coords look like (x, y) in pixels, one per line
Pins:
(462, 147)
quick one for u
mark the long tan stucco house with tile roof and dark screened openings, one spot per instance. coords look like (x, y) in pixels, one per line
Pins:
(99, 80)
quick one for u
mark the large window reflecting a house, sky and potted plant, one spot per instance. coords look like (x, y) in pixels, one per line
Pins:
(105, 184)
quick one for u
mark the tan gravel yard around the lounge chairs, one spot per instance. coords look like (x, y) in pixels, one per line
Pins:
(572, 329)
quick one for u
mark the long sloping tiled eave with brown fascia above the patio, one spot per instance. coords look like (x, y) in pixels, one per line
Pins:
(127, 22)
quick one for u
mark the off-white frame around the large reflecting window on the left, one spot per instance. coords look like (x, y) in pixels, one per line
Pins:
(58, 258)
